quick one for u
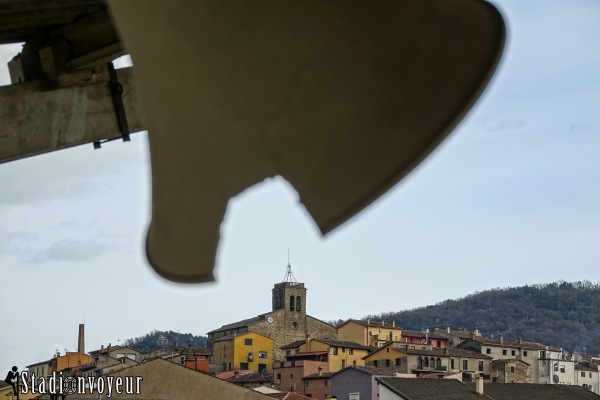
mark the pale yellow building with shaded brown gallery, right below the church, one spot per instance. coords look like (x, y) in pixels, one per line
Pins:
(338, 354)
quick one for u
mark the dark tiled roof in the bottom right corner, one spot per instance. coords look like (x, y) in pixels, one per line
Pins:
(534, 391)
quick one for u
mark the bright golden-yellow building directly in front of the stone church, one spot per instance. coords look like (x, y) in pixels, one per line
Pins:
(249, 350)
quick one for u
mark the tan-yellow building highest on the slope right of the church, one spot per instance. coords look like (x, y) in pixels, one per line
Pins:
(368, 333)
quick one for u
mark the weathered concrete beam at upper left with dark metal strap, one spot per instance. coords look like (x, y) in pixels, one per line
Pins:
(35, 121)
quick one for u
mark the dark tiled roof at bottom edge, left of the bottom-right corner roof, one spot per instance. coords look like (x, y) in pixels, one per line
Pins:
(429, 389)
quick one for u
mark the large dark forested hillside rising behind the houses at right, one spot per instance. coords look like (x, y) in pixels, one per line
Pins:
(561, 314)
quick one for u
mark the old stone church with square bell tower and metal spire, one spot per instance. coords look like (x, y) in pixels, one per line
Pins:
(287, 322)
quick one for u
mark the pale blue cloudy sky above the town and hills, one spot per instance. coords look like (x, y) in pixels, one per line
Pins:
(512, 197)
